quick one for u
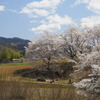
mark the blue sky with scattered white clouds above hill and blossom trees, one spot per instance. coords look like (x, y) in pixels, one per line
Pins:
(27, 19)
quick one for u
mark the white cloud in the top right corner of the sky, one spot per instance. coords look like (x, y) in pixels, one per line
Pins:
(93, 5)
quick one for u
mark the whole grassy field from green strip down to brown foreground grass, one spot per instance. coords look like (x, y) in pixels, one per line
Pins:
(18, 88)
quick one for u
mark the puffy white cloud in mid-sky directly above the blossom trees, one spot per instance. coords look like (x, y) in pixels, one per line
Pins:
(54, 22)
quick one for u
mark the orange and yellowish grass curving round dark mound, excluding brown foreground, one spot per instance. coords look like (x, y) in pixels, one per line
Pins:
(7, 70)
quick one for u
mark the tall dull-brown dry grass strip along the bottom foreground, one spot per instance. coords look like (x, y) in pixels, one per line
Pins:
(14, 90)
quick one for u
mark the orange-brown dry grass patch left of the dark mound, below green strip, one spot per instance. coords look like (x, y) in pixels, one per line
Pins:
(6, 71)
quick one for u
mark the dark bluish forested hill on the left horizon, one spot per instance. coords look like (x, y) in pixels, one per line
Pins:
(15, 43)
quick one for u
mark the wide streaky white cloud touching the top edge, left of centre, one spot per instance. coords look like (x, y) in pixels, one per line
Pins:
(41, 8)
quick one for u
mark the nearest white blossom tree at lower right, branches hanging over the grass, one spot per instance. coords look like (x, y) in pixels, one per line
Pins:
(92, 83)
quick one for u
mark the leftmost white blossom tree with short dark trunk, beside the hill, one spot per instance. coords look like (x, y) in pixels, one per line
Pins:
(44, 48)
